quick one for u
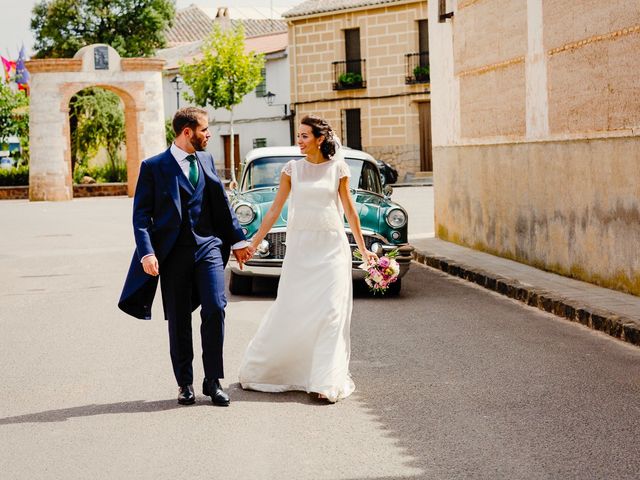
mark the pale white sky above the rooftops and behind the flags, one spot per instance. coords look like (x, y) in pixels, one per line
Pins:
(15, 18)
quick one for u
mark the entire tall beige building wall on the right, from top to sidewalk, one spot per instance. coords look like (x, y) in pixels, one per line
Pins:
(536, 124)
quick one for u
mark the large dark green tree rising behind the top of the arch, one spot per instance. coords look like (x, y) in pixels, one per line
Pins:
(134, 28)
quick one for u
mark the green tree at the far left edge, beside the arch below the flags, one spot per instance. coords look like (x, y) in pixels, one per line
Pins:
(14, 115)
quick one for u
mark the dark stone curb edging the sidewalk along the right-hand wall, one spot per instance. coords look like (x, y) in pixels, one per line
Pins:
(615, 325)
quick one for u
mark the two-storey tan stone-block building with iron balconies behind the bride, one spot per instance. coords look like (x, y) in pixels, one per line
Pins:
(352, 62)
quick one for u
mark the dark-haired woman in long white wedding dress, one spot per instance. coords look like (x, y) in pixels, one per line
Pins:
(303, 342)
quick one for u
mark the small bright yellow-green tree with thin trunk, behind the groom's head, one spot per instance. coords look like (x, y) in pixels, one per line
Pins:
(224, 74)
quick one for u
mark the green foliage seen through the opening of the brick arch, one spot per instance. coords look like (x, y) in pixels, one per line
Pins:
(99, 120)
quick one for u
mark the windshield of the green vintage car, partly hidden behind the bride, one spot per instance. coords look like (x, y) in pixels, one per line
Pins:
(265, 173)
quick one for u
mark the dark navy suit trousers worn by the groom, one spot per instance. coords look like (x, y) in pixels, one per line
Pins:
(184, 270)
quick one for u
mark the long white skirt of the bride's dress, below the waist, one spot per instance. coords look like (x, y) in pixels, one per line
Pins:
(303, 342)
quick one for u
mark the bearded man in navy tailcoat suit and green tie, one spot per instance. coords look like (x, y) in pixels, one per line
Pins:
(184, 228)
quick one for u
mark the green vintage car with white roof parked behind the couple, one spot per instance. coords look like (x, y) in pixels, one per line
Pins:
(384, 222)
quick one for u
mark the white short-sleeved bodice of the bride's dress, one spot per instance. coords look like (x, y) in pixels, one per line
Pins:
(314, 202)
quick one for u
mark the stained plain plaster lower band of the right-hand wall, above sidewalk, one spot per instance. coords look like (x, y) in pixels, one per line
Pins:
(569, 207)
